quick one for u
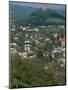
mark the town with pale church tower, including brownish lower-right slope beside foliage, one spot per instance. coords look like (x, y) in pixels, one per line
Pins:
(42, 44)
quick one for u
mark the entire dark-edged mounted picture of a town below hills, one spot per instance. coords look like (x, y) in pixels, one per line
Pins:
(37, 44)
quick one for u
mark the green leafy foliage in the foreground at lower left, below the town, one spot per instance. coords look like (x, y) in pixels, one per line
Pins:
(28, 73)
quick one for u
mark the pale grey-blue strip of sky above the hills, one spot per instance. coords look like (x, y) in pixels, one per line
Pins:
(39, 5)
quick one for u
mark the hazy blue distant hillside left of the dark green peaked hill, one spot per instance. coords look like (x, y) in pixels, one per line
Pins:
(20, 12)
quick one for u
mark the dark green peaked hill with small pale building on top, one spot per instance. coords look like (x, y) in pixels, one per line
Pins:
(45, 17)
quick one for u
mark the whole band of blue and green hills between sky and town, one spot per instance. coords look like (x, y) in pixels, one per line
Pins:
(36, 16)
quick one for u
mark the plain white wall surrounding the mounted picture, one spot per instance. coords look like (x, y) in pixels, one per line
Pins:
(4, 40)
